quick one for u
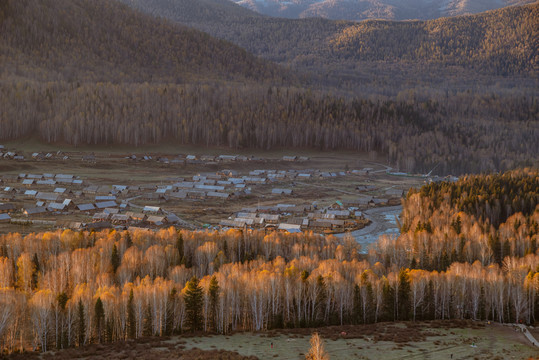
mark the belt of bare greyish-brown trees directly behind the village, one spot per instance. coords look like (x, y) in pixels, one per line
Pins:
(458, 134)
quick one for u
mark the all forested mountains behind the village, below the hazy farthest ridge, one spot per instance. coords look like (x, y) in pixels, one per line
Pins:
(98, 72)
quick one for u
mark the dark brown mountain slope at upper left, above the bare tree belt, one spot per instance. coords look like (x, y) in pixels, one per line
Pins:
(107, 41)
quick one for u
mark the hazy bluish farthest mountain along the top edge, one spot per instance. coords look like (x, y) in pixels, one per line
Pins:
(357, 10)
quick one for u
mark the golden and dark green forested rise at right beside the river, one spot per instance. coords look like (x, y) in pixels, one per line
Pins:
(480, 217)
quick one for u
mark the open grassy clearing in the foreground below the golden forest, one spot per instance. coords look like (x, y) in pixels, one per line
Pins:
(430, 340)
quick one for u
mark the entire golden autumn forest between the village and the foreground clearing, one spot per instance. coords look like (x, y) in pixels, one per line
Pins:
(64, 288)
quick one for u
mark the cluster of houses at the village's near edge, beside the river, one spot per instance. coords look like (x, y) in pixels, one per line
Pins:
(339, 217)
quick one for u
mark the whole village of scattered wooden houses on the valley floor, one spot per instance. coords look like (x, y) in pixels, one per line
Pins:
(288, 198)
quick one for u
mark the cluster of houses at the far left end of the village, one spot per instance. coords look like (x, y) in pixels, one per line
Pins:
(28, 195)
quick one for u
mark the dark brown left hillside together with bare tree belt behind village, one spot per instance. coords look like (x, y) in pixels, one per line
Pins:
(97, 72)
